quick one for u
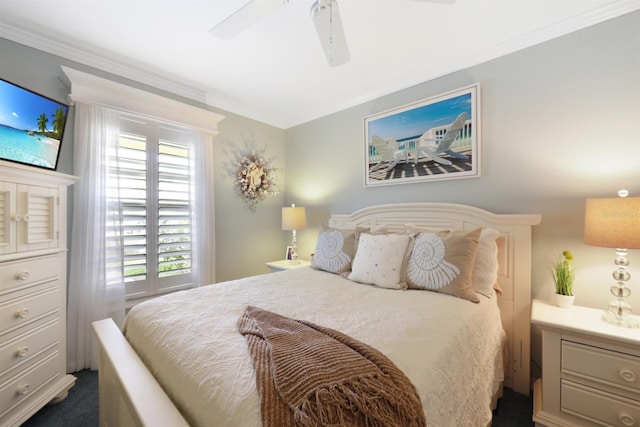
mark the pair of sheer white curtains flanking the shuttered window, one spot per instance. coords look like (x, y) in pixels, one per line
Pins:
(96, 285)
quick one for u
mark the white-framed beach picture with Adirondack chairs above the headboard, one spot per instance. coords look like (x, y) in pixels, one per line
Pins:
(434, 139)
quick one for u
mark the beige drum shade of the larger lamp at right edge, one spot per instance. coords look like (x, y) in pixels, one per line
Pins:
(613, 222)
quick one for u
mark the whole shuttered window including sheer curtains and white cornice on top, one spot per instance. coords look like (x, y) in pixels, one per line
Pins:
(97, 288)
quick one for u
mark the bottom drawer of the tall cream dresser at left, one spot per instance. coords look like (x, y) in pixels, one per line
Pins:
(28, 384)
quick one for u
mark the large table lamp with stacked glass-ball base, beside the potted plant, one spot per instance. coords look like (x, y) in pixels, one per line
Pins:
(615, 223)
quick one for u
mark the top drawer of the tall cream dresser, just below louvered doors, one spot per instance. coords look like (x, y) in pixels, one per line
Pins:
(16, 274)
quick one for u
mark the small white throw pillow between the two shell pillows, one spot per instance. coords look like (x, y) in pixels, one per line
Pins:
(381, 259)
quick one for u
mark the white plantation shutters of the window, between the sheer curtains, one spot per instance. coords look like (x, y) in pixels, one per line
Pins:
(153, 166)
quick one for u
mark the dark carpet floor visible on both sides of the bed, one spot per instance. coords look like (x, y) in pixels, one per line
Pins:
(80, 408)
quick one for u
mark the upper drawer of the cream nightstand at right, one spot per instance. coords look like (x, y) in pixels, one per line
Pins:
(602, 366)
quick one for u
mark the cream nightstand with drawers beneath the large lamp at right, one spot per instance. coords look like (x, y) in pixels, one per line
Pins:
(590, 369)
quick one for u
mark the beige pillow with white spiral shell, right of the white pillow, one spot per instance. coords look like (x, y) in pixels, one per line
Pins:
(442, 261)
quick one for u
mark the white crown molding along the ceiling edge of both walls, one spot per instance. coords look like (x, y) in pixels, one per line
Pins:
(175, 85)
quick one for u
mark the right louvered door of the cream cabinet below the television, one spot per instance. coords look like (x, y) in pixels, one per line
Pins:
(36, 218)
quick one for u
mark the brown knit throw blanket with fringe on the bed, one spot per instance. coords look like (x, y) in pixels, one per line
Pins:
(309, 375)
